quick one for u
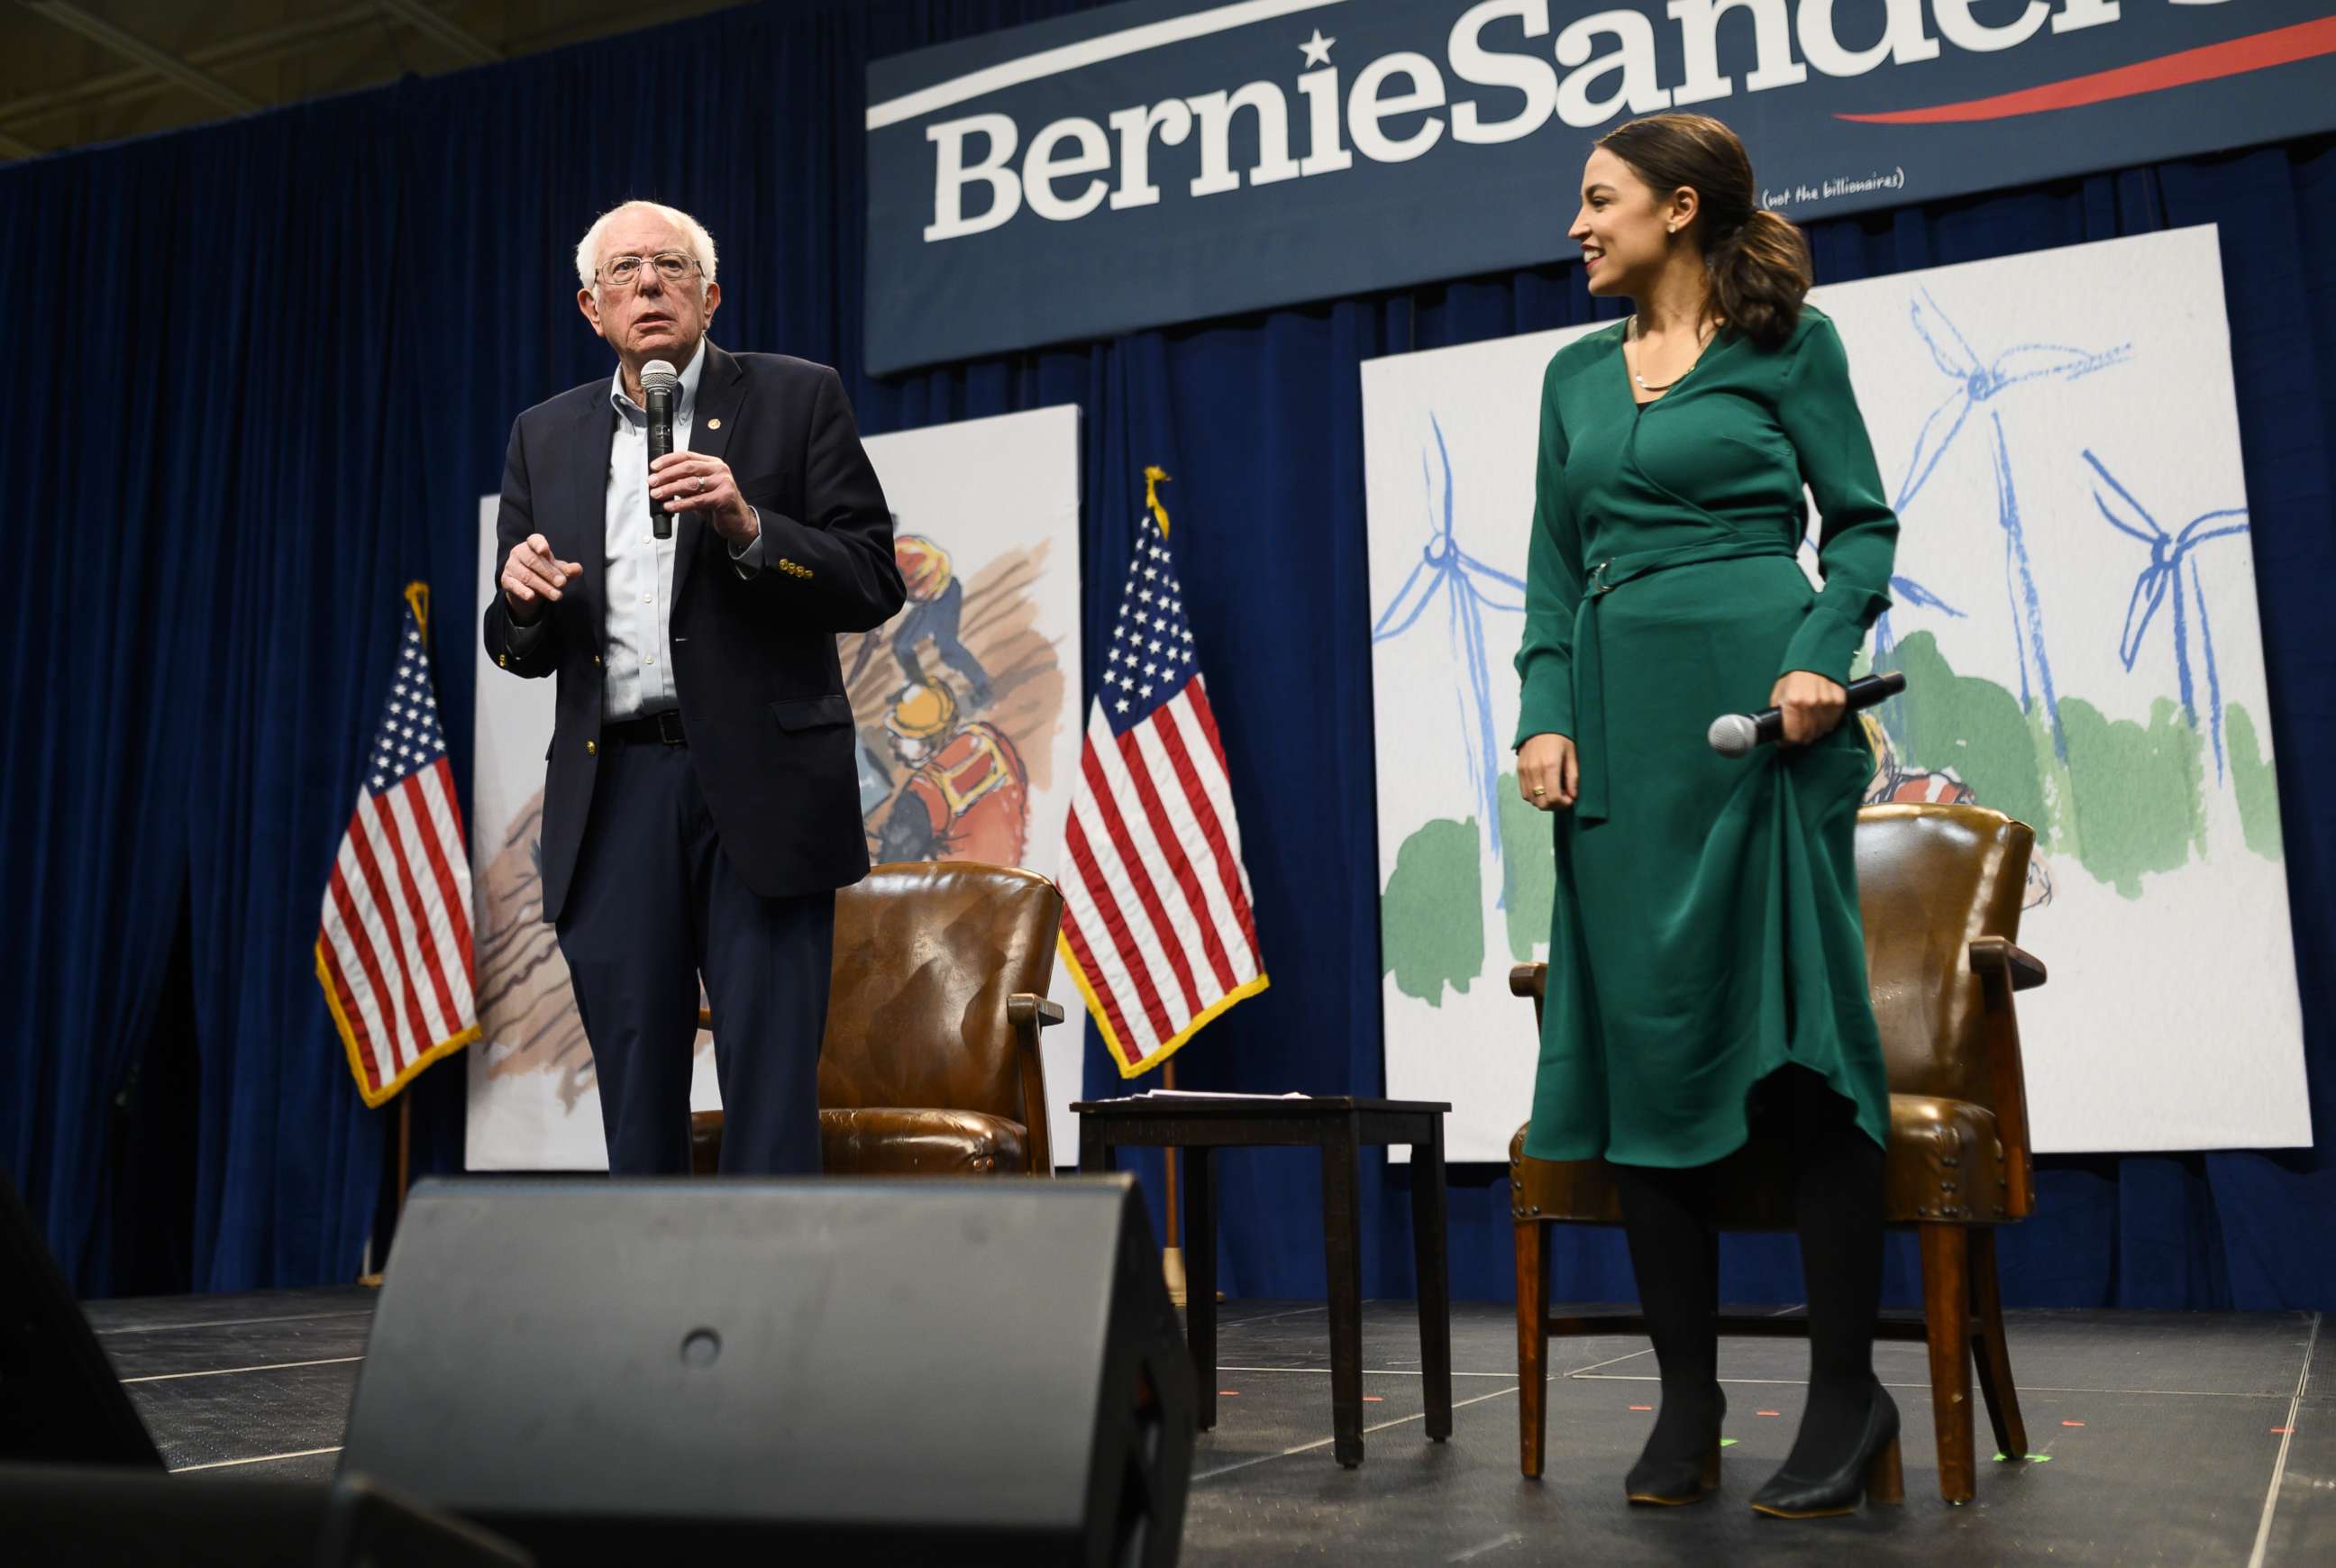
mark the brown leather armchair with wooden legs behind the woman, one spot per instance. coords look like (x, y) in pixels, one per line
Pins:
(1940, 891)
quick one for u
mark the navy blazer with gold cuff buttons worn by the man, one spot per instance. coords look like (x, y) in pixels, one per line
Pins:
(753, 658)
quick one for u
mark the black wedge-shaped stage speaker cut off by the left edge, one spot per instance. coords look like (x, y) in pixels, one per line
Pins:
(60, 1396)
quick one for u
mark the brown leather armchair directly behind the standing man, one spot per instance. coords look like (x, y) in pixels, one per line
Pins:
(931, 1064)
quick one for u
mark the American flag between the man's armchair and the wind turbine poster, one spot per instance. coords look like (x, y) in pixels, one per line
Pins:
(1157, 922)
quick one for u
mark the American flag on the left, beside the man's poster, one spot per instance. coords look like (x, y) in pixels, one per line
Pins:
(394, 943)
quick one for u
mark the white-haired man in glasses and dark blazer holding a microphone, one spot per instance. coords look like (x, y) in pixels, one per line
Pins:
(702, 798)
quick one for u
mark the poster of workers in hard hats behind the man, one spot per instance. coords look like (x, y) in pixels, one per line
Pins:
(968, 740)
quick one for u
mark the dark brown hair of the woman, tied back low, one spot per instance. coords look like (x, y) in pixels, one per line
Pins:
(1758, 261)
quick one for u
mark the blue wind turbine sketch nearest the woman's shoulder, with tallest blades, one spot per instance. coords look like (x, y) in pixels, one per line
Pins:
(1982, 382)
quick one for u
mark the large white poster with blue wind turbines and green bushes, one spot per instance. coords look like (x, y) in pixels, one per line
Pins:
(2076, 616)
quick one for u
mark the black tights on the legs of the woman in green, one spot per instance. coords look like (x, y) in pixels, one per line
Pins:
(1837, 1177)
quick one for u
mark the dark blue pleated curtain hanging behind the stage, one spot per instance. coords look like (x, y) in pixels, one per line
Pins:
(265, 373)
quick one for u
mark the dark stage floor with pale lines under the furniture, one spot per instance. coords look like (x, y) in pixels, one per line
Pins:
(2164, 1438)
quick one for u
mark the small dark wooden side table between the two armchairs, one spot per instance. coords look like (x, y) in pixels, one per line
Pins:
(1340, 1128)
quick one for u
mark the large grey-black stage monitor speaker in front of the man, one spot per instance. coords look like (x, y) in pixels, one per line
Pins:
(849, 1371)
